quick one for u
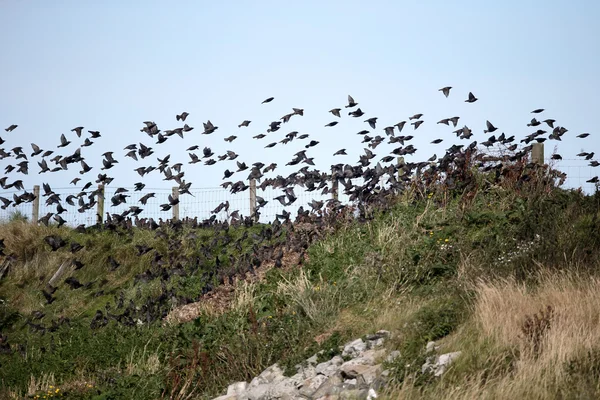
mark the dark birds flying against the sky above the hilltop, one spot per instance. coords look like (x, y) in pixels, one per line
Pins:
(310, 179)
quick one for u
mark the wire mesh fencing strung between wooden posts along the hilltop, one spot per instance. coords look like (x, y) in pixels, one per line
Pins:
(81, 208)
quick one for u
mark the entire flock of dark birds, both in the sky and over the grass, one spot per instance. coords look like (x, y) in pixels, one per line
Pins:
(377, 178)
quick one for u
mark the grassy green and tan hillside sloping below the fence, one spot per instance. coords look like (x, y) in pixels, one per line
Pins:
(503, 268)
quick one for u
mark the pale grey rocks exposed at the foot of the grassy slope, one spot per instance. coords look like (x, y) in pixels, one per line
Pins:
(357, 373)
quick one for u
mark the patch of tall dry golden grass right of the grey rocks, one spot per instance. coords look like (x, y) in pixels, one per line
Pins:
(497, 326)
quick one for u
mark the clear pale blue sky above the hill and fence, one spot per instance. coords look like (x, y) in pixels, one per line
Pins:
(111, 65)
